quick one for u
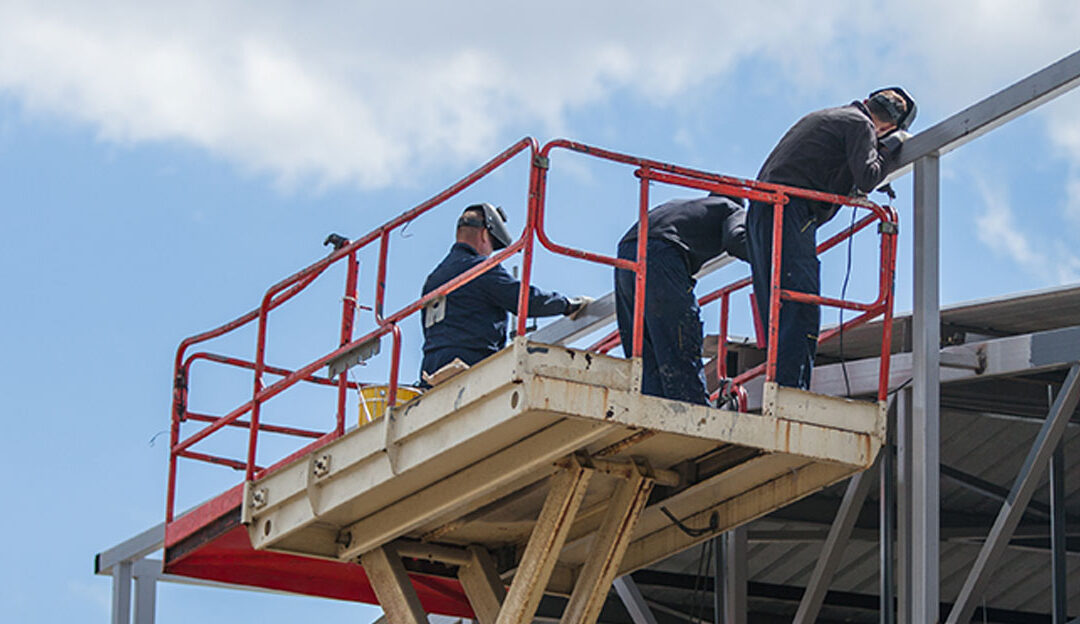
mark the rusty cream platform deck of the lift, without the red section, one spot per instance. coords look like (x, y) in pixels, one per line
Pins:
(468, 463)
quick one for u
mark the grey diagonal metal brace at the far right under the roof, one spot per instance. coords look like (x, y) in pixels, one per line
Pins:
(1028, 482)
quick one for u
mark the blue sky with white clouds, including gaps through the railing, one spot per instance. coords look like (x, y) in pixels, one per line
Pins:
(164, 165)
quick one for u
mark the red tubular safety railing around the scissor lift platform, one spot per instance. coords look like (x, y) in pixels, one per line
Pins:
(646, 171)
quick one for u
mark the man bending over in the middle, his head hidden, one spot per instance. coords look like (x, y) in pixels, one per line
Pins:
(683, 236)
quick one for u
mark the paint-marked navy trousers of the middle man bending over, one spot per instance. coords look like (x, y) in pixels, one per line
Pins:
(671, 355)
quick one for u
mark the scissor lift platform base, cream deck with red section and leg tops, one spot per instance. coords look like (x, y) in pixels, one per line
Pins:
(544, 466)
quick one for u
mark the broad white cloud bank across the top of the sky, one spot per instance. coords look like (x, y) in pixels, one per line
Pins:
(366, 93)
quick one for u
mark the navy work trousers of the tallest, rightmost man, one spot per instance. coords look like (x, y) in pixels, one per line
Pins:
(800, 270)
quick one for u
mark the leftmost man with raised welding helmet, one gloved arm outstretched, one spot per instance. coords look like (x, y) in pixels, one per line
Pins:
(472, 324)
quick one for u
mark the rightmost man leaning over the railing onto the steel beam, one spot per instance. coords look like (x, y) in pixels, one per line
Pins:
(843, 151)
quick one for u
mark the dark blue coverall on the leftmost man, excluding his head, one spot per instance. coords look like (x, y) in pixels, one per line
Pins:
(476, 322)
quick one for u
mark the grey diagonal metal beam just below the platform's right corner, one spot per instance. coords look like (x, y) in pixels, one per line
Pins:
(832, 552)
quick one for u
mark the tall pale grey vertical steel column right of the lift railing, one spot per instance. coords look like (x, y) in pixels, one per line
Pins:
(926, 389)
